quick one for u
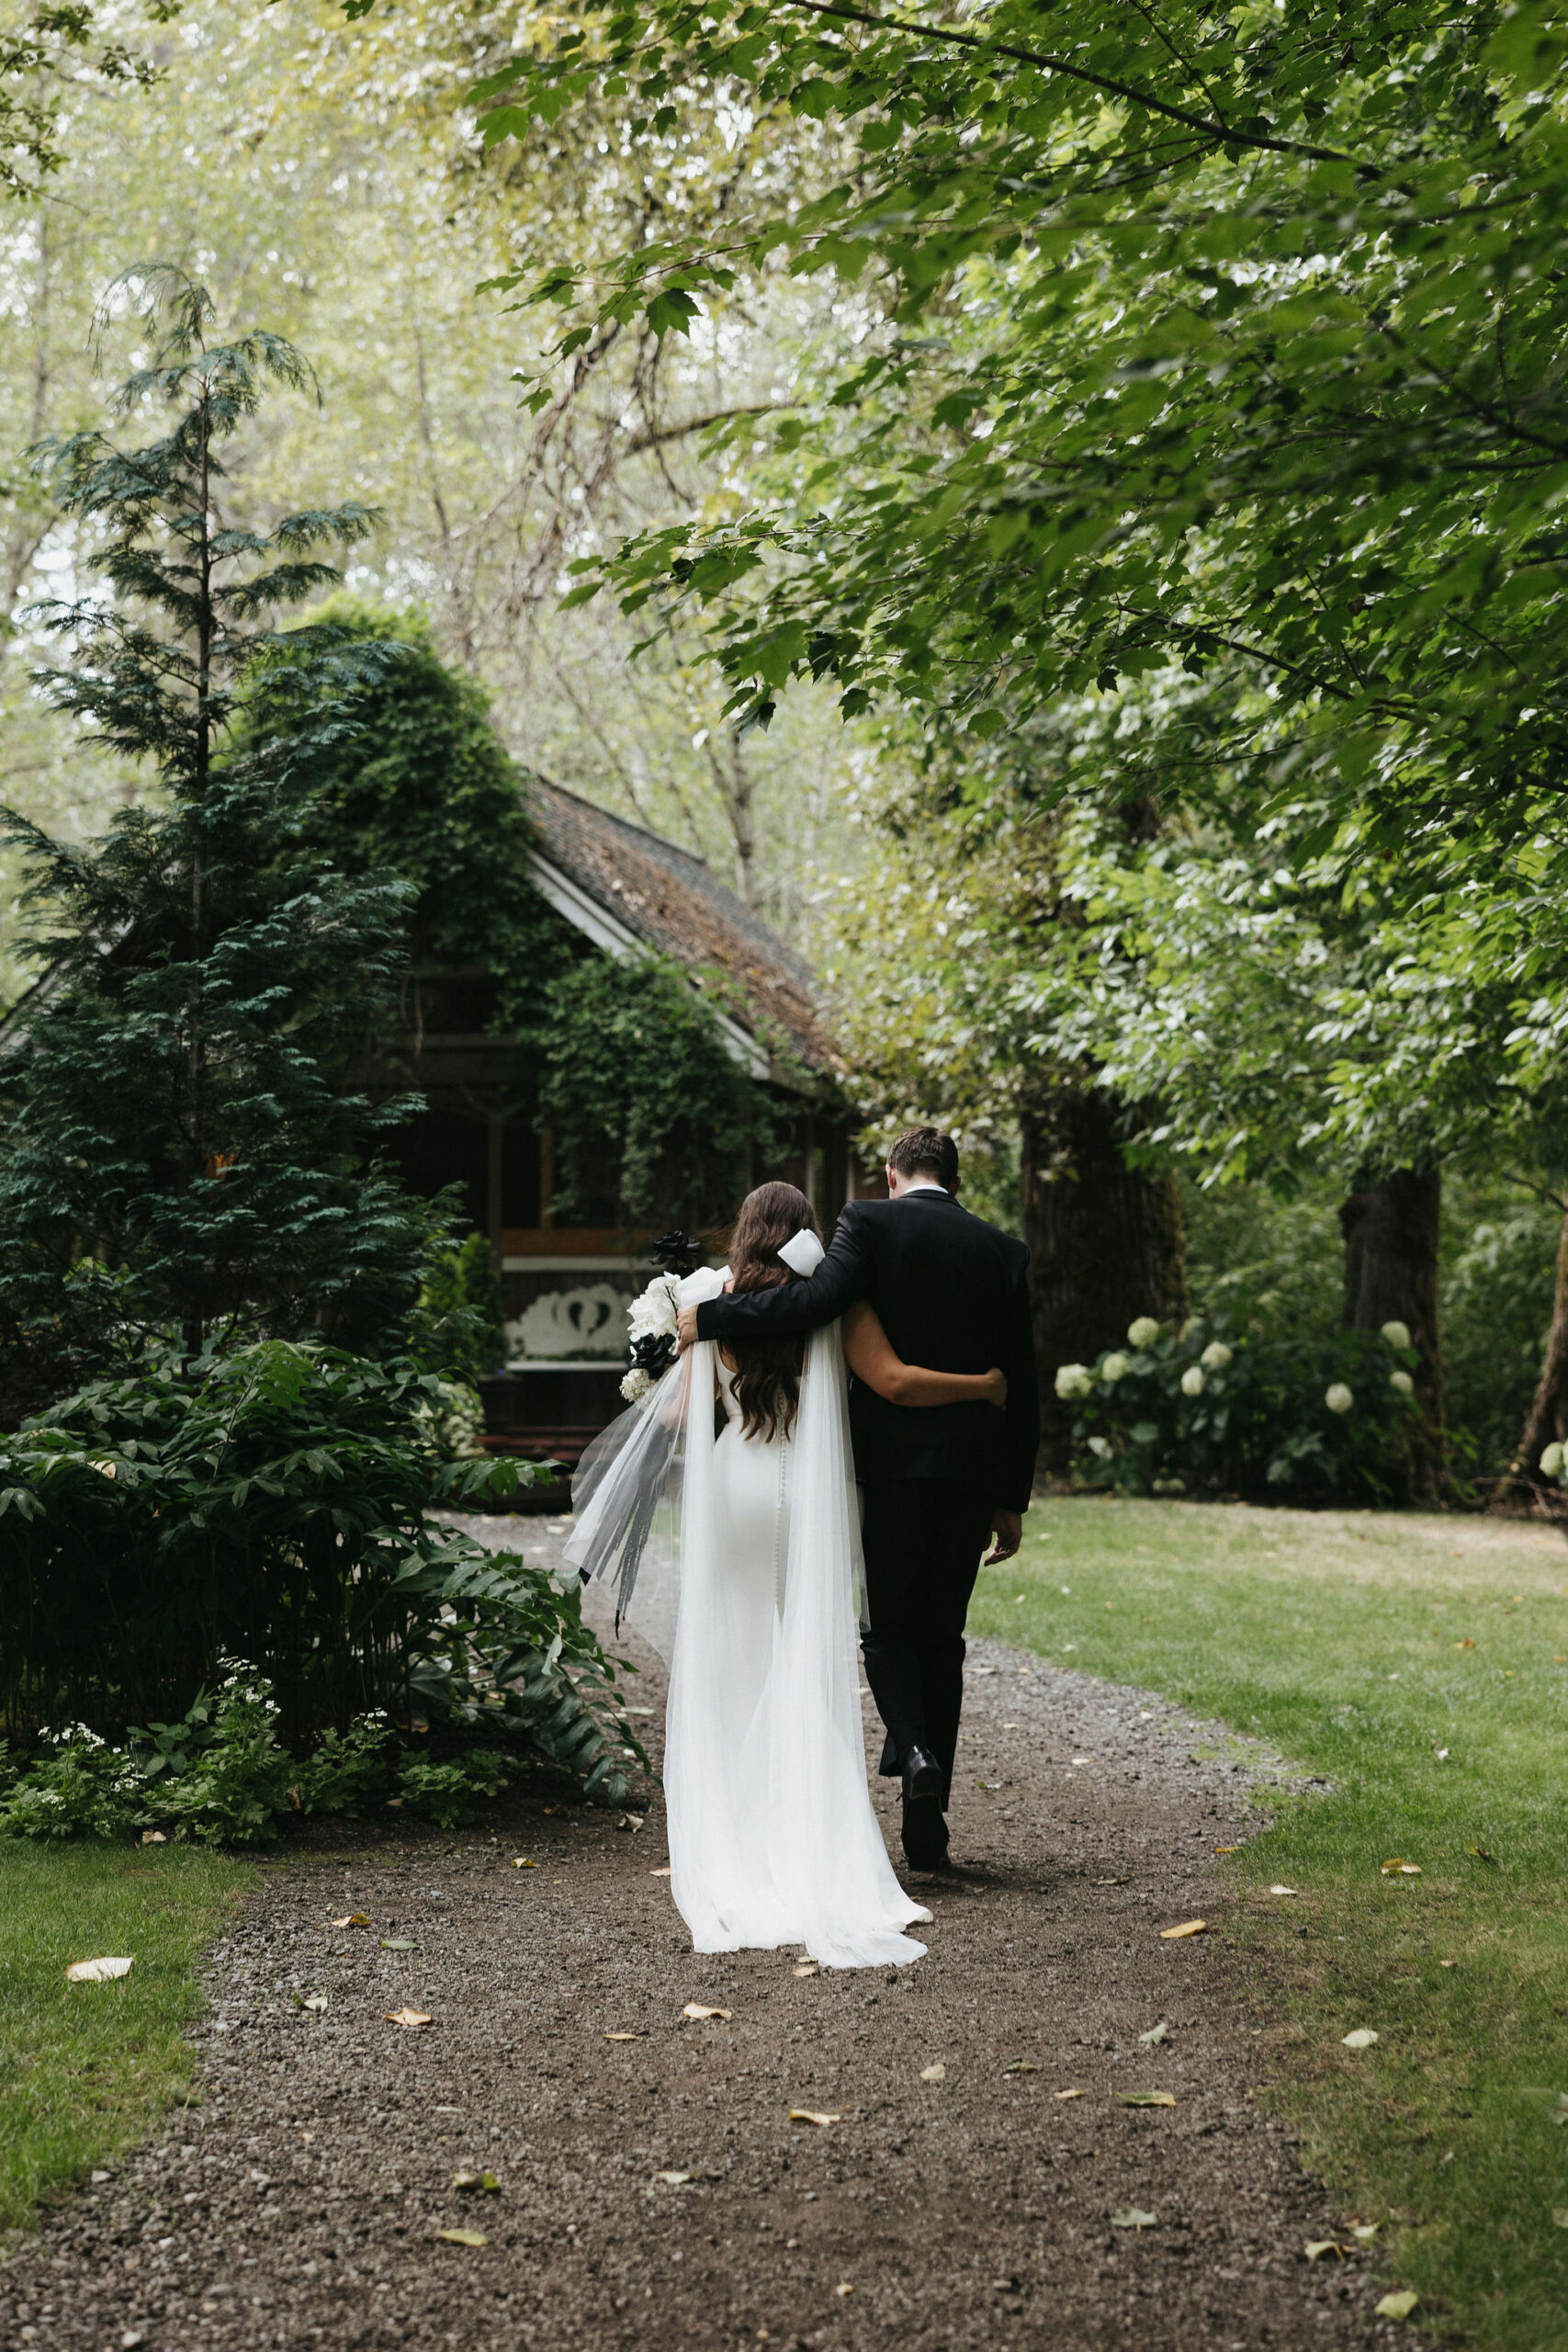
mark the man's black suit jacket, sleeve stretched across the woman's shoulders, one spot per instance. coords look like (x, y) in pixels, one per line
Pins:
(951, 1295)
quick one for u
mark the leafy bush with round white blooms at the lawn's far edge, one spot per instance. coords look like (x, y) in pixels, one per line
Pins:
(1306, 1419)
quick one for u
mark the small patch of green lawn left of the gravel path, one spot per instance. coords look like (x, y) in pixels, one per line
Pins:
(86, 2069)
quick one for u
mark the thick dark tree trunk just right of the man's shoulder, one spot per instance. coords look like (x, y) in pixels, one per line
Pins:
(1106, 1241)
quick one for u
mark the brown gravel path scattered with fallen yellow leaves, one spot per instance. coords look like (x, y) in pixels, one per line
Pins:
(652, 2189)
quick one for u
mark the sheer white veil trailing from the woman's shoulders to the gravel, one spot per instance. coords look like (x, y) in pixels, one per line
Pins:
(772, 1831)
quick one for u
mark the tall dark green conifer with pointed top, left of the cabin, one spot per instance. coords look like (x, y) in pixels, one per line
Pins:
(177, 1147)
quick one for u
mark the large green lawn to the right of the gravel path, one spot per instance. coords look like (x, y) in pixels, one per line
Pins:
(1362, 1645)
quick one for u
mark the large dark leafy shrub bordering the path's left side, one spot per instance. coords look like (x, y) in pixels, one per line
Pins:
(274, 1506)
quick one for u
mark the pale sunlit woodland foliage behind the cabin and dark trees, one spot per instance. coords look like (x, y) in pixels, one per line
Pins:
(333, 182)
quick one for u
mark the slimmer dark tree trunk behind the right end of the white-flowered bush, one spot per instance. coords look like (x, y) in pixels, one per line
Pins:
(1391, 1276)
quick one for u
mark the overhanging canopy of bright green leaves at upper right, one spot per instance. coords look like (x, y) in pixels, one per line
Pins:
(1214, 330)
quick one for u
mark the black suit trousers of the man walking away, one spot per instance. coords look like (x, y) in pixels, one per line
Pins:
(923, 1542)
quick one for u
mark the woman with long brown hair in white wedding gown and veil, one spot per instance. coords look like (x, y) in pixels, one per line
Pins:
(723, 1514)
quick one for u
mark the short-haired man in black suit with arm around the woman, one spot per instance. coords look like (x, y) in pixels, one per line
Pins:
(942, 1481)
